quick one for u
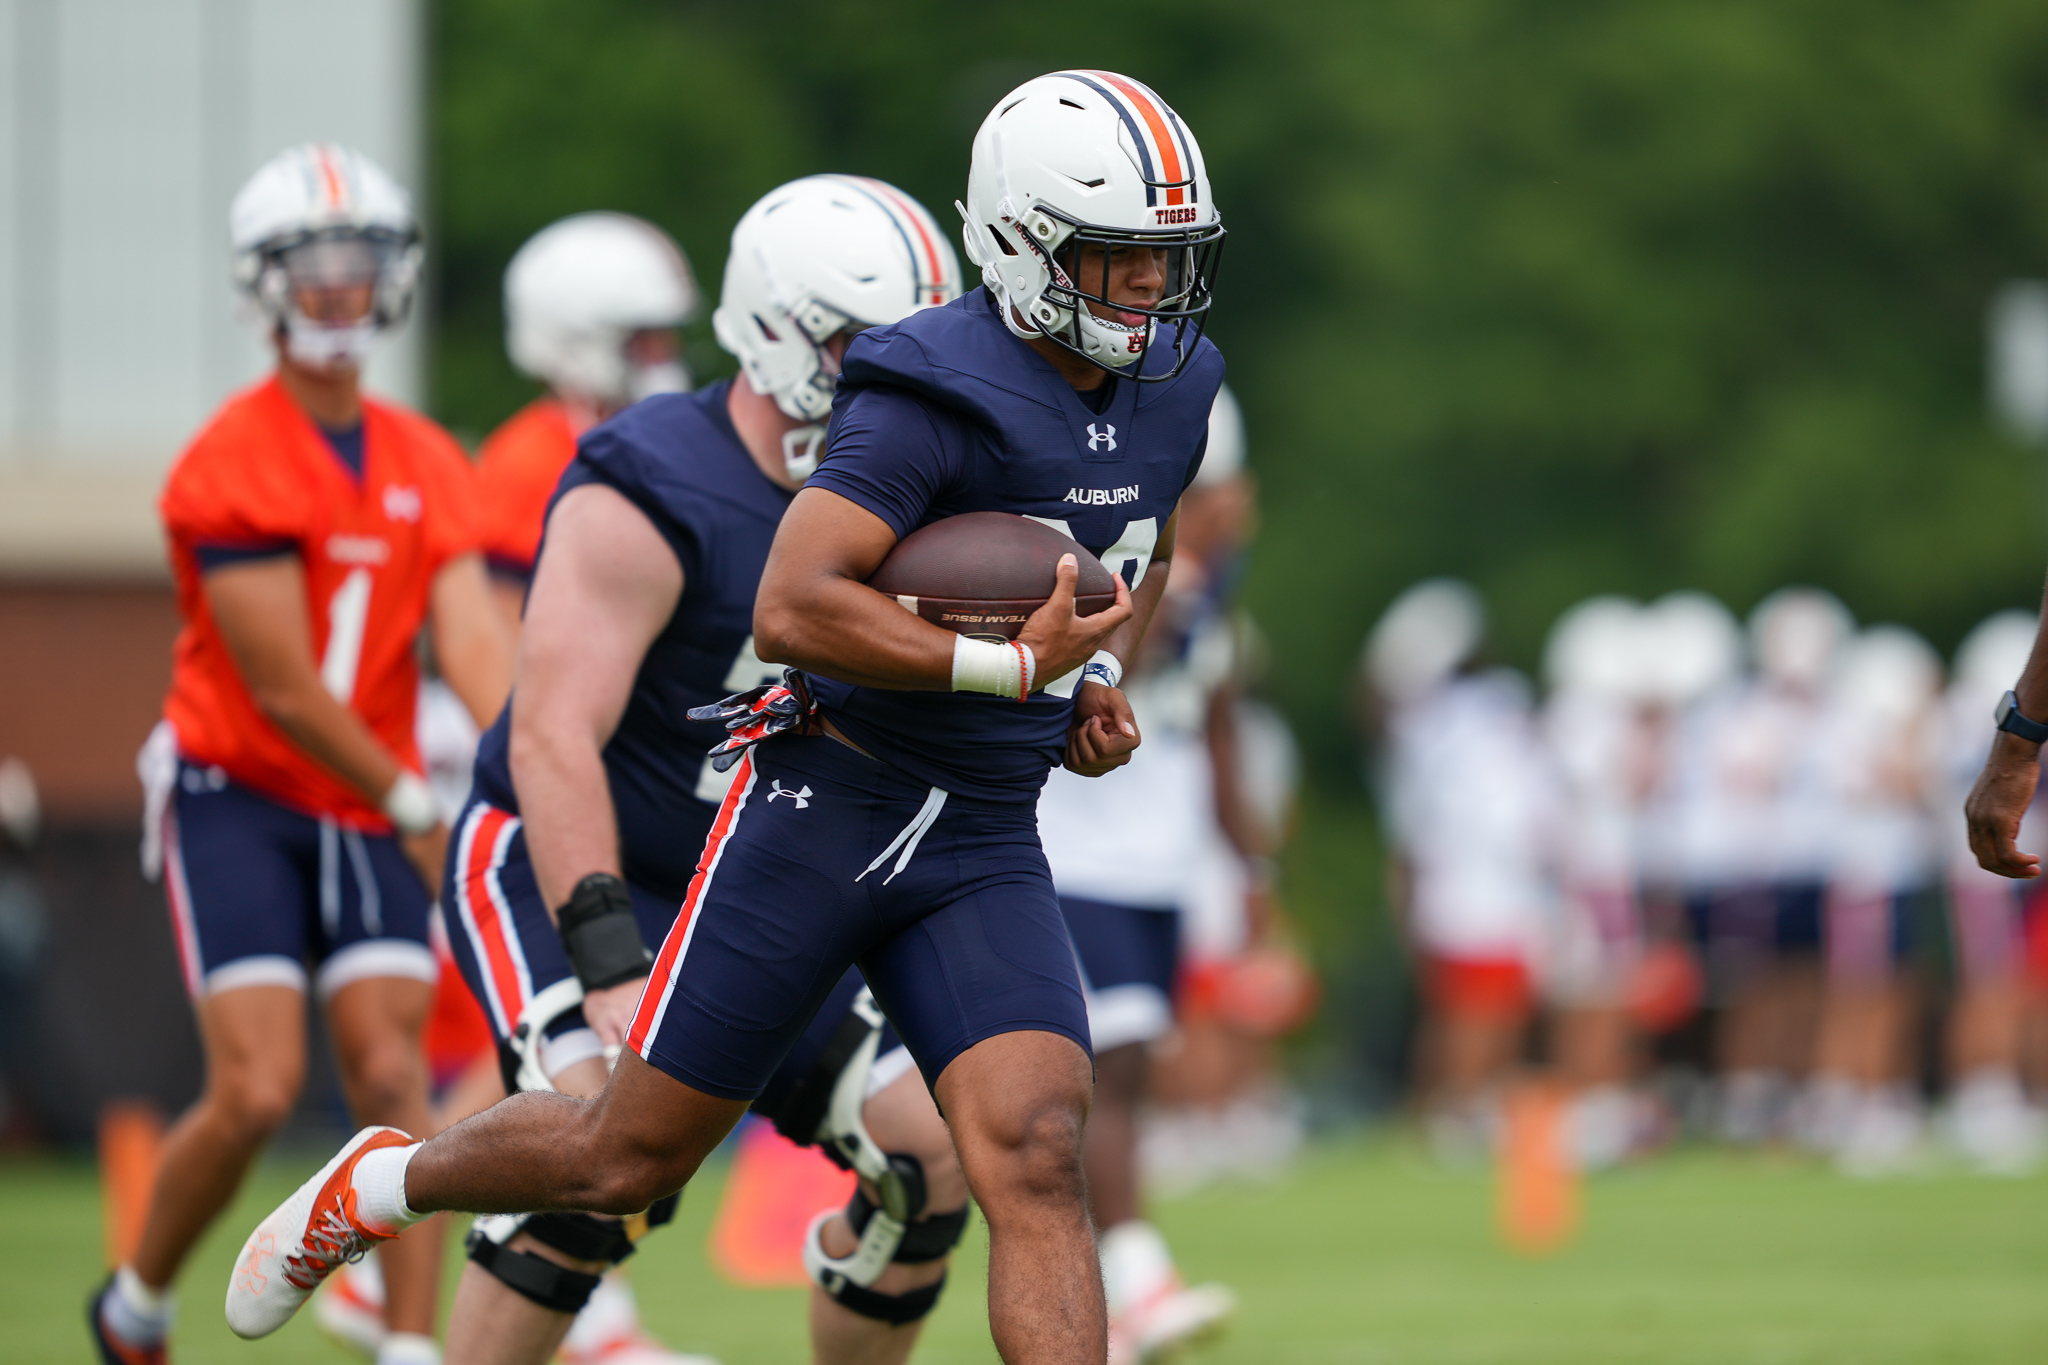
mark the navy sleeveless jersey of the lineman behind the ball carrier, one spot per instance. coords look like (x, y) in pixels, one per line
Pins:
(679, 461)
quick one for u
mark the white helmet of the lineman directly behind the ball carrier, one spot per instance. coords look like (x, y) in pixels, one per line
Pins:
(812, 259)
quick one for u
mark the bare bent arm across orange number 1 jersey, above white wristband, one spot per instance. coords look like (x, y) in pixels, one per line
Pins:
(261, 611)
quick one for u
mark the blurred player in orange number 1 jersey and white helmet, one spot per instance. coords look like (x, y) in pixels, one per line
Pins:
(314, 535)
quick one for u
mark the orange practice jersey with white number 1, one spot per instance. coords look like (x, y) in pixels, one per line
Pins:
(261, 474)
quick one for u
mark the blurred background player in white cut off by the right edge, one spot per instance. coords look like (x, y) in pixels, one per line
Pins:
(1990, 1120)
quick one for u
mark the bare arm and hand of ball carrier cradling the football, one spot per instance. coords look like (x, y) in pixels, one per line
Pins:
(816, 611)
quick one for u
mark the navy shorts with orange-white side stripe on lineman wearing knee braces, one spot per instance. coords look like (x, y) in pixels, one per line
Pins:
(509, 949)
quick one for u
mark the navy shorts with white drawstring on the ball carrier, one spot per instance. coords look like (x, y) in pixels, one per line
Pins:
(824, 858)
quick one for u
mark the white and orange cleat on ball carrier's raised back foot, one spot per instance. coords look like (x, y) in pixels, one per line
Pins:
(304, 1241)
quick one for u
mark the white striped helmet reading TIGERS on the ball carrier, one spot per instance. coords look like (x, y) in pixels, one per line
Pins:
(1082, 161)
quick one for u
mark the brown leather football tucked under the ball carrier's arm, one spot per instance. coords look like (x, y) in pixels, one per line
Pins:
(984, 574)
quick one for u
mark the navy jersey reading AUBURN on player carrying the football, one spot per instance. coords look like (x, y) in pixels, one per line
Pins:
(947, 412)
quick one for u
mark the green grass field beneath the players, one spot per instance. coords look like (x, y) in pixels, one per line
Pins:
(1365, 1253)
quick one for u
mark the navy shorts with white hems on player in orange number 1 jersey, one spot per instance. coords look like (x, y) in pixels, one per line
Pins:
(261, 891)
